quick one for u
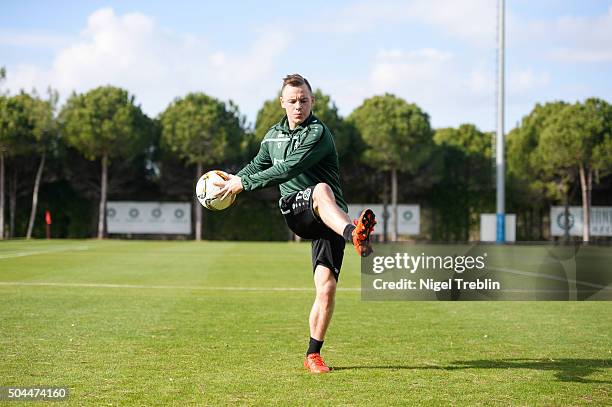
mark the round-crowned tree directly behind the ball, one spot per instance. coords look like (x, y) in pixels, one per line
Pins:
(203, 131)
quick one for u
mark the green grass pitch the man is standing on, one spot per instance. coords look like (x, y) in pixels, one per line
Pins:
(130, 338)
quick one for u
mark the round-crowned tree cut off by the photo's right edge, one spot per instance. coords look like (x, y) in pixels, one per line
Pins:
(577, 139)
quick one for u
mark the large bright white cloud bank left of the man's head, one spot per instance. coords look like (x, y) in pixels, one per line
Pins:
(154, 63)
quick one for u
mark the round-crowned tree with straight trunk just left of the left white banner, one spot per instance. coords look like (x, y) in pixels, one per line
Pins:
(104, 124)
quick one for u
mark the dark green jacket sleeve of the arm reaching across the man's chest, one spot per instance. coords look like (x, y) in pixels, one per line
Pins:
(313, 148)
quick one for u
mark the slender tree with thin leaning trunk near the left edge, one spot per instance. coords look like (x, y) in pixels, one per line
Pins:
(45, 131)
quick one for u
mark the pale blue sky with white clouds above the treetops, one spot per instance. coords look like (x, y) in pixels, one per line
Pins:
(440, 54)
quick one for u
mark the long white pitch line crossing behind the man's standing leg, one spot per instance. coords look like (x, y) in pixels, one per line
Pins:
(165, 287)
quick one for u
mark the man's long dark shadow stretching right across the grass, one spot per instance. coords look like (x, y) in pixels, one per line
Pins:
(566, 370)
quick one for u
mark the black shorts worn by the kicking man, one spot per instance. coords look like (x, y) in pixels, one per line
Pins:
(327, 245)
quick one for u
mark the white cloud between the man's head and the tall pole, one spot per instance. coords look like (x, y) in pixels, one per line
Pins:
(436, 80)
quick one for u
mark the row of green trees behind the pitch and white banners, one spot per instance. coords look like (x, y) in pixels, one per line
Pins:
(100, 145)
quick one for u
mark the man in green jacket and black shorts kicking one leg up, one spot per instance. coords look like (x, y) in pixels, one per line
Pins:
(300, 156)
